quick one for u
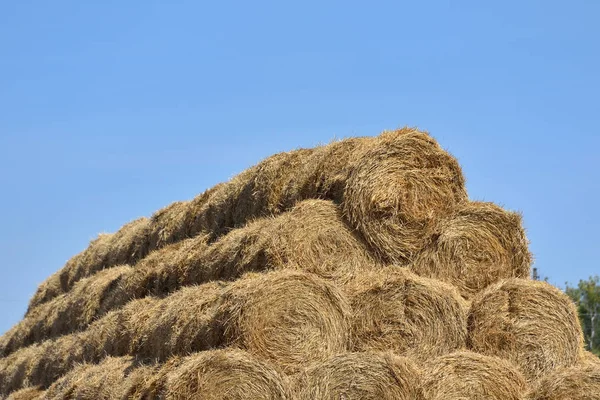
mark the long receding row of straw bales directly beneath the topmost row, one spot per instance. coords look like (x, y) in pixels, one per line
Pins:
(312, 237)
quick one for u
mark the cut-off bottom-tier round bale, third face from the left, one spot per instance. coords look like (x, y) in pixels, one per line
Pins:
(466, 375)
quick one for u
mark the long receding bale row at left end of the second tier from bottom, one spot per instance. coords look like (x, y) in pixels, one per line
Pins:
(288, 317)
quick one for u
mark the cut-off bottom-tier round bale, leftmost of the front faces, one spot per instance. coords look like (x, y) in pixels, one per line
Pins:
(225, 374)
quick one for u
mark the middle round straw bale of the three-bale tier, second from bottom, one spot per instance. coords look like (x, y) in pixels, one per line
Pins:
(394, 309)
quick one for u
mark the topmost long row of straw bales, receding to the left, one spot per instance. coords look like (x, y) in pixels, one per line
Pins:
(393, 189)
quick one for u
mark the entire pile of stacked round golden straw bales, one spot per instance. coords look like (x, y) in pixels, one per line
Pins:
(354, 270)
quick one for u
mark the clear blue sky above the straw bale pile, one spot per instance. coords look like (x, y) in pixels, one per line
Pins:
(111, 110)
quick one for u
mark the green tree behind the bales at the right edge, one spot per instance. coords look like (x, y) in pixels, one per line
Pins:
(587, 297)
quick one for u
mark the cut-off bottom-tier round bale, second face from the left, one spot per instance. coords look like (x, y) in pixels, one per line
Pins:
(361, 376)
